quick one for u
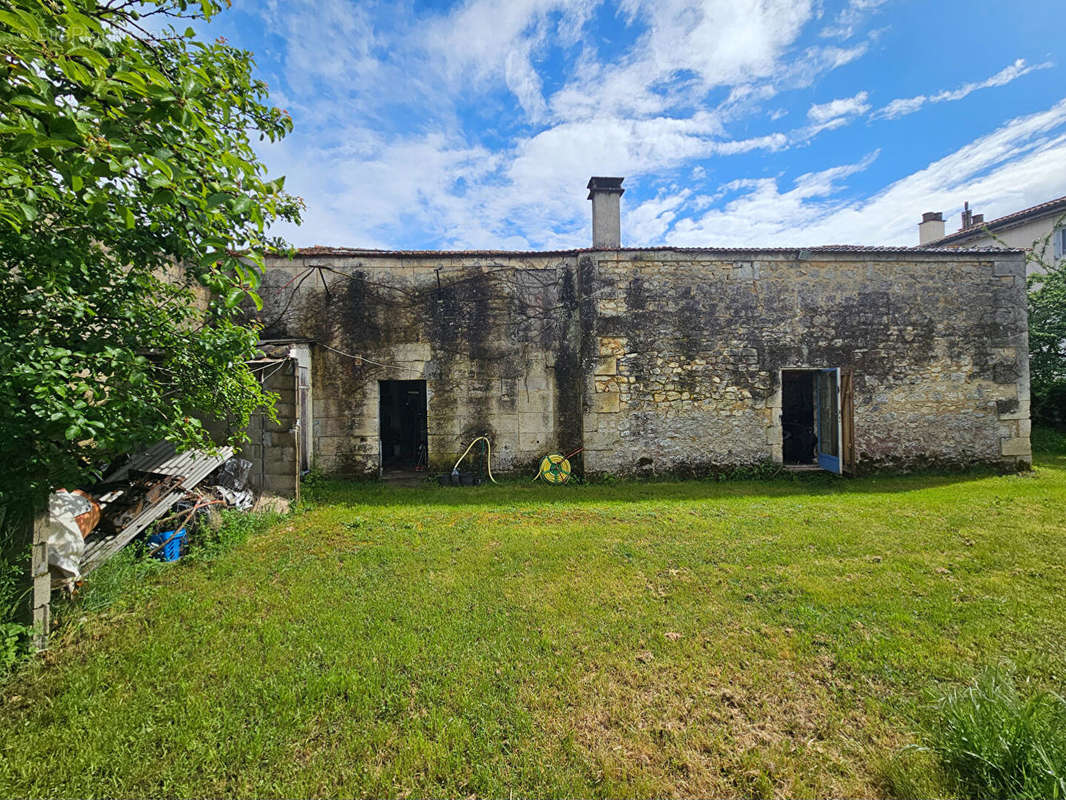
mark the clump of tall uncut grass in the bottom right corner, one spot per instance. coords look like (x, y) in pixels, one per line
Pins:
(993, 742)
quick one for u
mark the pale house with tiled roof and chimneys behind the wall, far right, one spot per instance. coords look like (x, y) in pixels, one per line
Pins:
(1041, 230)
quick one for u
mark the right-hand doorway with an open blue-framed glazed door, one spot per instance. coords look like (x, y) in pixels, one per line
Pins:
(813, 429)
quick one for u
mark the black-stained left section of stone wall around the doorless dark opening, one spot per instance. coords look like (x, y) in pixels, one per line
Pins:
(491, 337)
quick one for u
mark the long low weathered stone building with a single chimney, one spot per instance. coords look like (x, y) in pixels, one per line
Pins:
(653, 360)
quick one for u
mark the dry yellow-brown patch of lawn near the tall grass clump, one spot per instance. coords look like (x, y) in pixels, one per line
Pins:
(690, 727)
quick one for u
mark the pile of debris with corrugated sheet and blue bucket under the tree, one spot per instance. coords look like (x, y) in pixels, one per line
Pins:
(173, 493)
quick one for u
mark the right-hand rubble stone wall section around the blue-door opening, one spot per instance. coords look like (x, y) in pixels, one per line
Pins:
(690, 348)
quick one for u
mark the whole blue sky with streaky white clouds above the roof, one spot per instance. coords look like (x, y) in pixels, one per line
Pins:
(750, 123)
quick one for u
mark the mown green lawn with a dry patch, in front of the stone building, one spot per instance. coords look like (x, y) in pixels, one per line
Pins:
(641, 639)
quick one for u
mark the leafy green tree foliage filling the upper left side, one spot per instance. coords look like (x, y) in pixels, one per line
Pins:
(133, 214)
